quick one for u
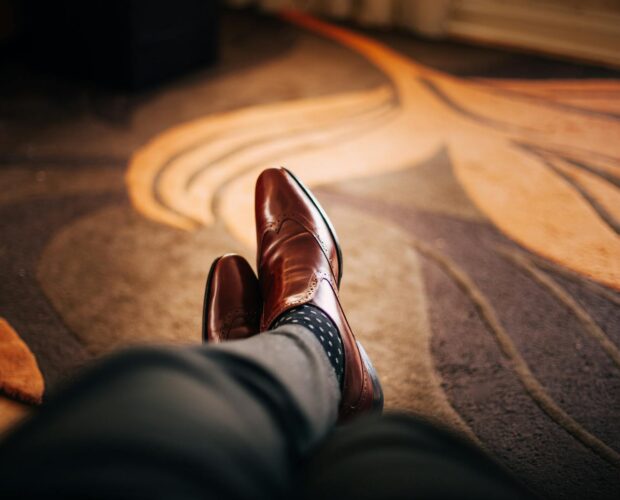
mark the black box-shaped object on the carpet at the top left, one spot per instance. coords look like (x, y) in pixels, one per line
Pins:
(121, 43)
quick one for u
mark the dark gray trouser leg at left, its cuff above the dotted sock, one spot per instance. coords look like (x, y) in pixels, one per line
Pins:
(225, 422)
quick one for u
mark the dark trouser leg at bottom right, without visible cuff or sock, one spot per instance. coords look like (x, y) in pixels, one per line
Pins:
(398, 457)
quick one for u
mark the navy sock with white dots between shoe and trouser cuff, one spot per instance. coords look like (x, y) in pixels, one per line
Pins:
(315, 320)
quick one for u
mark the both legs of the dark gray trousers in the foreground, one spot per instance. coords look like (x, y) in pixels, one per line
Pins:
(232, 422)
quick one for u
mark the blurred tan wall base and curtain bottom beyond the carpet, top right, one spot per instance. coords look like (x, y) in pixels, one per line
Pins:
(586, 30)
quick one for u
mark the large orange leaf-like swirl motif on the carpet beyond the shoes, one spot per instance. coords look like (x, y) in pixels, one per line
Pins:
(539, 169)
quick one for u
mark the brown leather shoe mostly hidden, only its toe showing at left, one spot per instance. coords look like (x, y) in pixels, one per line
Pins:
(232, 302)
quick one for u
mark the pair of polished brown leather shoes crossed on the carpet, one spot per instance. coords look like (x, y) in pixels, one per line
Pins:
(299, 262)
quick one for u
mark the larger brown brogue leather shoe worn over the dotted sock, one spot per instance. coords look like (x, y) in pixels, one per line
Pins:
(300, 262)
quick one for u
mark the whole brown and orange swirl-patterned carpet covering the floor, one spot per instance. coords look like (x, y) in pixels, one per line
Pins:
(476, 194)
